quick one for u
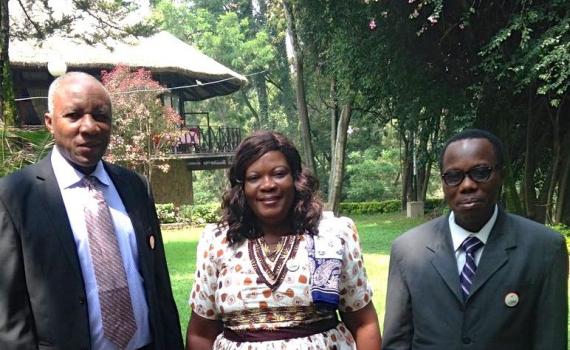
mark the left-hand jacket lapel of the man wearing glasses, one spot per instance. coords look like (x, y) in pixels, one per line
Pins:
(443, 258)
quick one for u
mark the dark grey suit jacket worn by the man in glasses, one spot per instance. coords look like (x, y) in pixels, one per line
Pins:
(425, 309)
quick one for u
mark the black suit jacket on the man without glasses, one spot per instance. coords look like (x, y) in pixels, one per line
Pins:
(42, 296)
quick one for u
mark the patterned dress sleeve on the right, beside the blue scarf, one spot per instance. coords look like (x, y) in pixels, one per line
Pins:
(355, 291)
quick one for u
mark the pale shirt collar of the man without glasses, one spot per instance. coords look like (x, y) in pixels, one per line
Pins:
(67, 176)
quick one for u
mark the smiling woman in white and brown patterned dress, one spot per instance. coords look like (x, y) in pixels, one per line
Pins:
(276, 272)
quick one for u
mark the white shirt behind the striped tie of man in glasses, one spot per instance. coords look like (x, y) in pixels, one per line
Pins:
(459, 234)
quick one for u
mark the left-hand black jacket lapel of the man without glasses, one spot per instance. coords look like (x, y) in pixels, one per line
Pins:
(54, 209)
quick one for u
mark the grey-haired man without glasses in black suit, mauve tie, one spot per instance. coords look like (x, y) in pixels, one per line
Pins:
(53, 282)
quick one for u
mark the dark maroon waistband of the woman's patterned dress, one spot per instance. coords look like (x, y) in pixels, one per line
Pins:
(298, 331)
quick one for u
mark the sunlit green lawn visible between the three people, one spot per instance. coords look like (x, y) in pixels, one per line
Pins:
(376, 234)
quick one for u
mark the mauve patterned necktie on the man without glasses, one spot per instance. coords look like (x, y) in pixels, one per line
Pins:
(116, 309)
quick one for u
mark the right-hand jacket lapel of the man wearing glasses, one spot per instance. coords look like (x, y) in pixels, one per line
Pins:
(495, 253)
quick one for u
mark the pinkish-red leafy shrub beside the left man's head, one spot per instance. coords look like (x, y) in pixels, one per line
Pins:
(144, 130)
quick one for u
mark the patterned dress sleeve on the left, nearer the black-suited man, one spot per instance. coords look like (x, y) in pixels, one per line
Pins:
(203, 294)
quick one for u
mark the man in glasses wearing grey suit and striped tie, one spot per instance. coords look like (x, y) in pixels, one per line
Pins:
(505, 288)
